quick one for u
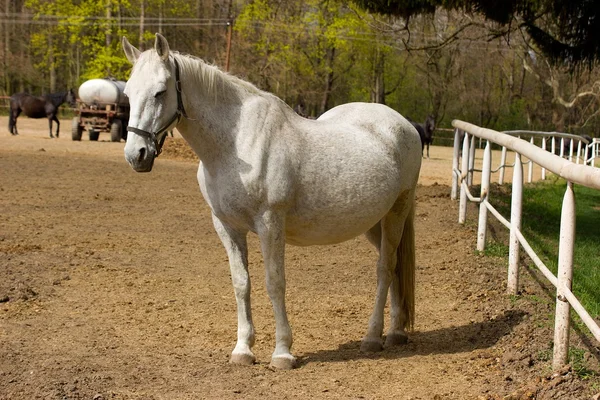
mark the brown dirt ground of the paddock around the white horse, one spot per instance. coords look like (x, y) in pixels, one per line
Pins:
(113, 285)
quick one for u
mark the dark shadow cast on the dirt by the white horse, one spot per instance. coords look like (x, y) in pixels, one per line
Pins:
(461, 339)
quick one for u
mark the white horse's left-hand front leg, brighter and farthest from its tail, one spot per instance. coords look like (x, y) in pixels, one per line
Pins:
(237, 251)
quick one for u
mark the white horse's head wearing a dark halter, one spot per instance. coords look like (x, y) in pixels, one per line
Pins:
(154, 102)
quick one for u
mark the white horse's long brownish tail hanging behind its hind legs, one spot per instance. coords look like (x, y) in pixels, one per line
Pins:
(406, 266)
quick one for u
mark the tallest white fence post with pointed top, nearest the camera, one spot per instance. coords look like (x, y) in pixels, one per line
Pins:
(565, 278)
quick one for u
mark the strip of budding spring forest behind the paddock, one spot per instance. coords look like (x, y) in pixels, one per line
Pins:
(314, 54)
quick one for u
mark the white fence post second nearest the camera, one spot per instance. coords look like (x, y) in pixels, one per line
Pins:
(515, 225)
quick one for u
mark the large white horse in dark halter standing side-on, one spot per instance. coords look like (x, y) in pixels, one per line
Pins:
(288, 179)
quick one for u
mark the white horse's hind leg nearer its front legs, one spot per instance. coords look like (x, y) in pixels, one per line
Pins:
(387, 240)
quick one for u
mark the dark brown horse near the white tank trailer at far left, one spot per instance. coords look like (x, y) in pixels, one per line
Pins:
(38, 107)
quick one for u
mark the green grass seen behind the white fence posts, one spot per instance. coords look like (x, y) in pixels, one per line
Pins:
(540, 225)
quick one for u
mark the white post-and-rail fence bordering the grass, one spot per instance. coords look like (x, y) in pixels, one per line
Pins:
(463, 166)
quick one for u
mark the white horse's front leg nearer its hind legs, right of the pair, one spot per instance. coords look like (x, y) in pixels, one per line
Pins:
(271, 230)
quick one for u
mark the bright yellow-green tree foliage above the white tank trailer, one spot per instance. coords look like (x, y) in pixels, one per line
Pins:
(75, 44)
